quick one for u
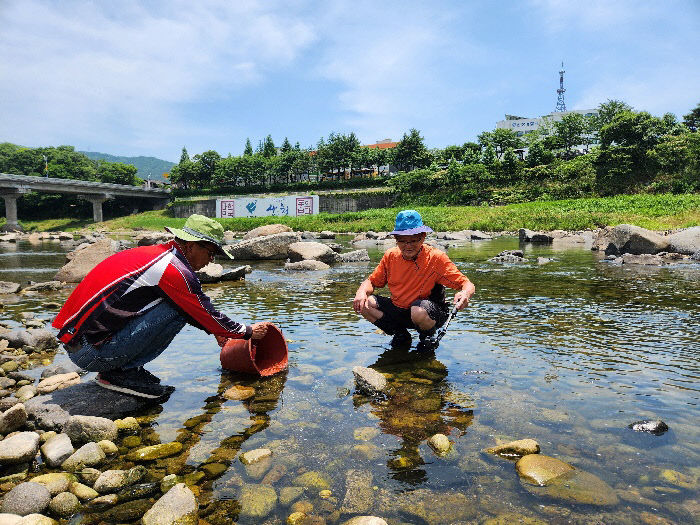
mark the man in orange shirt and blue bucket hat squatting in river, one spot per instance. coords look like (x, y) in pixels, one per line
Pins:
(417, 275)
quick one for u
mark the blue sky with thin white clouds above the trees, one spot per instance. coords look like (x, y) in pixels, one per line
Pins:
(146, 78)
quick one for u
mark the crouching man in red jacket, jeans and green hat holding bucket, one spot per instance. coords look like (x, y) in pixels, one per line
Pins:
(128, 309)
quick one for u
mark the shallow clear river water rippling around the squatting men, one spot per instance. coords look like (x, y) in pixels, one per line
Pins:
(568, 353)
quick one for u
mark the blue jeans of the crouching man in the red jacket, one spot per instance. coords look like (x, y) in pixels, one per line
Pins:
(141, 340)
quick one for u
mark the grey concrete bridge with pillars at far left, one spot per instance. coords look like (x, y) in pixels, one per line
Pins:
(14, 186)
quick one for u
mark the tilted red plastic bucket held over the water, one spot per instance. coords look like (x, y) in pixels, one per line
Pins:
(262, 357)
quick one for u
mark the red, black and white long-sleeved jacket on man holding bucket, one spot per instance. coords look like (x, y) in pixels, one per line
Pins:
(128, 284)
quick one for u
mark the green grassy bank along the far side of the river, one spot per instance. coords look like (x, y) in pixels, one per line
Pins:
(657, 212)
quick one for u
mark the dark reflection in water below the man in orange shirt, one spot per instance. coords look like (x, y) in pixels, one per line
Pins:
(418, 405)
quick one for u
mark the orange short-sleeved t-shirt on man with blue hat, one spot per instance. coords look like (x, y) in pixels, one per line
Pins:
(411, 280)
